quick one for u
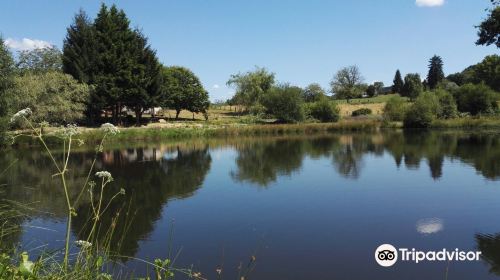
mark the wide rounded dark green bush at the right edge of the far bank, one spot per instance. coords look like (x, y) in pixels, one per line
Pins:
(476, 99)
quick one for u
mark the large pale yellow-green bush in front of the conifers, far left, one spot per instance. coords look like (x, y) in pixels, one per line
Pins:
(52, 96)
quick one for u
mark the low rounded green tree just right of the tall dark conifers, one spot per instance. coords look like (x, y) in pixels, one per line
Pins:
(183, 91)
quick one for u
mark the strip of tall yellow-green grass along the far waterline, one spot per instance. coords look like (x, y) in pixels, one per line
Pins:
(188, 130)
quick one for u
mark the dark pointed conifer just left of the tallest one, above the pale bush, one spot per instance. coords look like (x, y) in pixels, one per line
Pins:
(79, 49)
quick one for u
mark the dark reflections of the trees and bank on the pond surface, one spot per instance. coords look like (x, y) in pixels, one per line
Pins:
(152, 176)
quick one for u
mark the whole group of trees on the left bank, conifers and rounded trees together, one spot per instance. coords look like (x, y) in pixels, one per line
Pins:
(105, 69)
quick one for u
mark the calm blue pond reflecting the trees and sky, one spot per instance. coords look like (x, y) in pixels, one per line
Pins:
(305, 207)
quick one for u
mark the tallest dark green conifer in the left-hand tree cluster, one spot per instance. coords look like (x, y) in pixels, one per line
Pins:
(115, 59)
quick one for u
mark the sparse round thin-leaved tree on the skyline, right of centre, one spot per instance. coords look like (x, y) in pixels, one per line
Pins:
(347, 83)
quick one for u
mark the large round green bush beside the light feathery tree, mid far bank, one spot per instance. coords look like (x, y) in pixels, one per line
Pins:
(284, 102)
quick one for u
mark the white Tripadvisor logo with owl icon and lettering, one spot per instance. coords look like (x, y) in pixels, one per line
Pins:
(387, 255)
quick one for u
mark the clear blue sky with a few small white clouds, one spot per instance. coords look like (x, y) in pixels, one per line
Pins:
(301, 41)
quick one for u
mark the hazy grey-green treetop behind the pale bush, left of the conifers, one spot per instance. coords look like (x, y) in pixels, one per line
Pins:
(39, 60)
